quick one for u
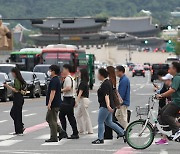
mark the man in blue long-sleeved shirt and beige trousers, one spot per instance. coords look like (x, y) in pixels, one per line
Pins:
(124, 91)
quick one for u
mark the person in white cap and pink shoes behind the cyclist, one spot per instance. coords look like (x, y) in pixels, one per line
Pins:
(167, 84)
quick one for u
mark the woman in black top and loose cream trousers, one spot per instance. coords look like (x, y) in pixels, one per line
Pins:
(82, 102)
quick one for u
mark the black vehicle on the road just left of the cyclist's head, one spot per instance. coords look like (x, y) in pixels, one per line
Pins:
(156, 68)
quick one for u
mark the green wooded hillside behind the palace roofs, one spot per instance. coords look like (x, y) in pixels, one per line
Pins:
(71, 8)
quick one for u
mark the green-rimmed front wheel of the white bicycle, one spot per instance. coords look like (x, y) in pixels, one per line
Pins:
(137, 141)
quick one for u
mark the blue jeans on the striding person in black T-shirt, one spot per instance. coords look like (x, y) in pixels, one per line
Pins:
(106, 117)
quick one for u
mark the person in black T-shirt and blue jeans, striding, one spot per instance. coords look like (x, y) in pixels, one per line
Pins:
(106, 107)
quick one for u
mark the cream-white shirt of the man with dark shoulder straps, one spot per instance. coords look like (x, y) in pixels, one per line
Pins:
(68, 83)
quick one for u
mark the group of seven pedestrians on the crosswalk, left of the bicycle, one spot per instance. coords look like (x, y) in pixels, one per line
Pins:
(62, 98)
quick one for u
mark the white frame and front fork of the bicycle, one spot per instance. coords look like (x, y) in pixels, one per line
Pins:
(155, 120)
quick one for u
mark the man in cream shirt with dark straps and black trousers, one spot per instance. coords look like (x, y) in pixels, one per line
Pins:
(67, 106)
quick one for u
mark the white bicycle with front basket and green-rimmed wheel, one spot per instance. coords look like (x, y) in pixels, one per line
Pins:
(140, 133)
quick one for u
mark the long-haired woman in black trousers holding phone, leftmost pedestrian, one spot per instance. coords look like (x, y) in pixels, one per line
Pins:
(18, 101)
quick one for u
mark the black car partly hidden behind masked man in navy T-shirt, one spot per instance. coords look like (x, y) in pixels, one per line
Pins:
(43, 82)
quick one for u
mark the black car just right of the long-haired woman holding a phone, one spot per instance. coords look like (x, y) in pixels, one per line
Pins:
(33, 84)
